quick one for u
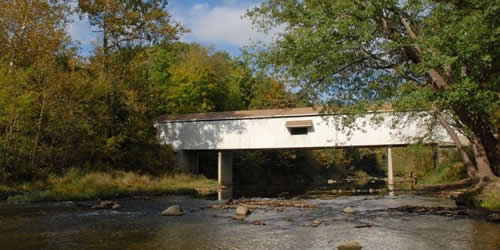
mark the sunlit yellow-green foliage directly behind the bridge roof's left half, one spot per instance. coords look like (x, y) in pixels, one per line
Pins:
(198, 79)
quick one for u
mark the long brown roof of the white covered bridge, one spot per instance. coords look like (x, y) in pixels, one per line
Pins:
(240, 114)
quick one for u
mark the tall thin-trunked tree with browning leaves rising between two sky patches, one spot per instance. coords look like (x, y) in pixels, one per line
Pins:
(127, 26)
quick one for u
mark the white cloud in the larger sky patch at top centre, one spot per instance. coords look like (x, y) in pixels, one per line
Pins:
(220, 25)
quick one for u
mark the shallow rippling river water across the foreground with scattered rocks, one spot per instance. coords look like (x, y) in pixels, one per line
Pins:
(138, 225)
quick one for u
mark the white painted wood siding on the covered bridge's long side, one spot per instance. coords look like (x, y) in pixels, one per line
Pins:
(271, 132)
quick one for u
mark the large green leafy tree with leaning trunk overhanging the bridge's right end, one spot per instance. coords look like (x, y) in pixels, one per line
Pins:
(441, 56)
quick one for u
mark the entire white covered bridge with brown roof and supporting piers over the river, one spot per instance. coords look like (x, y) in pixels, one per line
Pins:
(297, 128)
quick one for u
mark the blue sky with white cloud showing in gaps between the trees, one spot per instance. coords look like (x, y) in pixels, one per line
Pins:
(217, 23)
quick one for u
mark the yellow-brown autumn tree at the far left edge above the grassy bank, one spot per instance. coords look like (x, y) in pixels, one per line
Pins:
(32, 41)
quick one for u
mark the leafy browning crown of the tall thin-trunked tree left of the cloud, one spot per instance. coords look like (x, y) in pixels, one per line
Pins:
(130, 23)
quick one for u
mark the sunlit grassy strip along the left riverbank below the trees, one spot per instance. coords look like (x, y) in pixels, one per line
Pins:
(78, 185)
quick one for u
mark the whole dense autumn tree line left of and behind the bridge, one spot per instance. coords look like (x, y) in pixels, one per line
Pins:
(59, 110)
